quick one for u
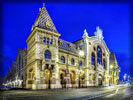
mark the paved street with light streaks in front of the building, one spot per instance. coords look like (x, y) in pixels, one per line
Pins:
(91, 93)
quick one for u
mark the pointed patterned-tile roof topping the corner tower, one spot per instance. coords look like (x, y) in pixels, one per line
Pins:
(44, 21)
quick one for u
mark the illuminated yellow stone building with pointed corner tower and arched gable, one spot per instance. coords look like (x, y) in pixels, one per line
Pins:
(51, 62)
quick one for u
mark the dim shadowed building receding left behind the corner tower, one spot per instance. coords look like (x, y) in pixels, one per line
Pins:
(15, 75)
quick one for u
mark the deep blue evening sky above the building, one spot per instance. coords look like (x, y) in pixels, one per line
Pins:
(70, 20)
